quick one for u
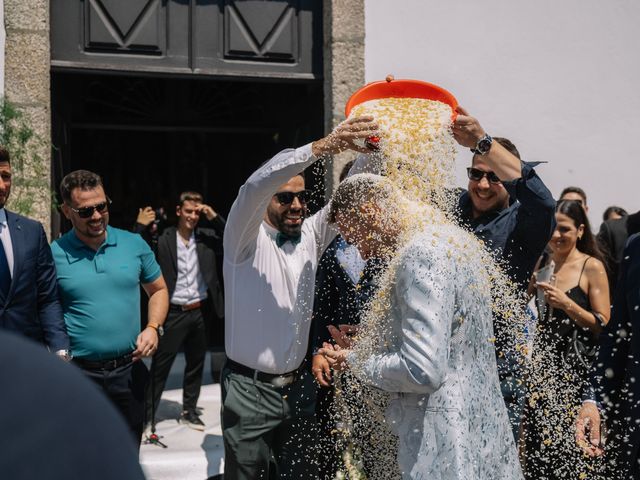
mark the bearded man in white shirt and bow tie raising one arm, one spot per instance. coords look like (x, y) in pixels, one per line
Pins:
(271, 258)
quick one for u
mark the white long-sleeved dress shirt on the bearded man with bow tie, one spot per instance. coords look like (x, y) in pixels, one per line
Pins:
(268, 289)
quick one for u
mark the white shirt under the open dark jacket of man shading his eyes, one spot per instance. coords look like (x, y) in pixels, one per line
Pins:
(190, 285)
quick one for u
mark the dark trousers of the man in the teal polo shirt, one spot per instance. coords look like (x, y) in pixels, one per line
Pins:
(125, 386)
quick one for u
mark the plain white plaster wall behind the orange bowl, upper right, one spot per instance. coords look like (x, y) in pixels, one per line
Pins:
(560, 79)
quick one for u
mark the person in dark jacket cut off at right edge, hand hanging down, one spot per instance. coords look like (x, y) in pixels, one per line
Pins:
(616, 373)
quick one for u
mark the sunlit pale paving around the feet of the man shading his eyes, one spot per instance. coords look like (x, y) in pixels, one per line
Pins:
(190, 454)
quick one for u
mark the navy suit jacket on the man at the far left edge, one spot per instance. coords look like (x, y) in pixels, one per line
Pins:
(32, 306)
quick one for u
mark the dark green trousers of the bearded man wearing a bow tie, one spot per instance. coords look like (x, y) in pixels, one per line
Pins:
(269, 432)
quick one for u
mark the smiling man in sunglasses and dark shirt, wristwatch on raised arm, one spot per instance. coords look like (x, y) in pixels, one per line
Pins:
(508, 207)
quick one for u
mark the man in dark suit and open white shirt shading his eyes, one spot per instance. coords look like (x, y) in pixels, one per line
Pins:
(187, 257)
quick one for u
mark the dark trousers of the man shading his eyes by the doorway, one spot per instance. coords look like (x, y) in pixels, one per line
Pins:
(180, 329)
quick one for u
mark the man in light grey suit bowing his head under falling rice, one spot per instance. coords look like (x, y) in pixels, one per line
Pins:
(427, 338)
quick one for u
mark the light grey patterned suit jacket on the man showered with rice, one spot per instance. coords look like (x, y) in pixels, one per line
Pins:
(439, 365)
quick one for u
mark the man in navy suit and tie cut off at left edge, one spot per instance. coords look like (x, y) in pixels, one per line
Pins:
(29, 302)
